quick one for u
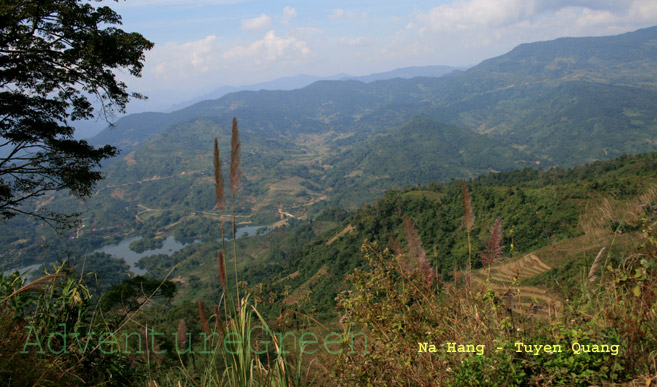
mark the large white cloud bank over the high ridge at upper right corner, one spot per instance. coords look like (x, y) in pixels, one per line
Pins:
(468, 31)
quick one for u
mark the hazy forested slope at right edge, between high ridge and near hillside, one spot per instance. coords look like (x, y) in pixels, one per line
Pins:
(570, 123)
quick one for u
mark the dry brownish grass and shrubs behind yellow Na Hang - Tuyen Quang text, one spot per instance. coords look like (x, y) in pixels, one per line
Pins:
(461, 333)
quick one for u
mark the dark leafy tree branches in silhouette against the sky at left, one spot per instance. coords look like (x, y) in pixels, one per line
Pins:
(57, 58)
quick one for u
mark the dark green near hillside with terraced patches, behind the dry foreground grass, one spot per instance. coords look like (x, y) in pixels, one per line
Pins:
(562, 216)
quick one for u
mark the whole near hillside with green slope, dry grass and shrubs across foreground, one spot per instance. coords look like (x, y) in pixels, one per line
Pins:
(395, 272)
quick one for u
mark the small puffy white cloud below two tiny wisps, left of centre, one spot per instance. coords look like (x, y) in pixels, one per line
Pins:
(268, 49)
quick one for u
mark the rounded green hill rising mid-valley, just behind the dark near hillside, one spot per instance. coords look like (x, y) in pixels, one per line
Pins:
(421, 151)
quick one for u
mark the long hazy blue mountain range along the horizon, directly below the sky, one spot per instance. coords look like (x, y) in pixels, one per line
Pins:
(534, 83)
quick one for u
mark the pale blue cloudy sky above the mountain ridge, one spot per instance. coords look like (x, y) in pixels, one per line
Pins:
(201, 45)
